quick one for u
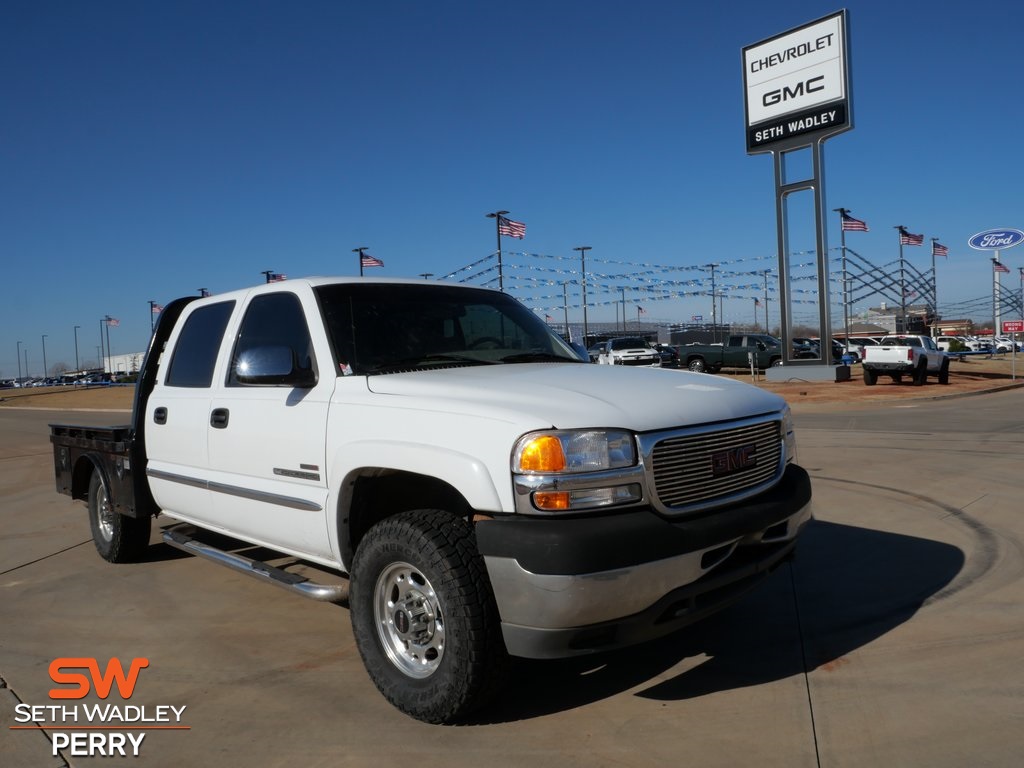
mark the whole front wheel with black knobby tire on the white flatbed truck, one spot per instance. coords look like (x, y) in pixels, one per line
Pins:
(424, 617)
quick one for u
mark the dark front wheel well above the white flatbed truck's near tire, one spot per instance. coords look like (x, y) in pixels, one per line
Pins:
(377, 494)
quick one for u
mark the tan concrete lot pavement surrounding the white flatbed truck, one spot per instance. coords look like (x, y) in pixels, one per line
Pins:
(894, 639)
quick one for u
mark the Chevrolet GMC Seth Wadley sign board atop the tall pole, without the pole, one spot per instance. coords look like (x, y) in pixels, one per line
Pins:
(796, 84)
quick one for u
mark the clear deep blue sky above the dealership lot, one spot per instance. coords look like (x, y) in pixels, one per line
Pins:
(152, 149)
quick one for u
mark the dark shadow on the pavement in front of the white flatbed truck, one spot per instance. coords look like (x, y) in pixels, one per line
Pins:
(847, 587)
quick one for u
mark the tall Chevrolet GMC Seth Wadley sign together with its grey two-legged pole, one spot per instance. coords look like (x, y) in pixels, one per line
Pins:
(797, 89)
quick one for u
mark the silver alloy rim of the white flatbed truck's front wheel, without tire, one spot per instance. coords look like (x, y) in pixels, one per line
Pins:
(410, 621)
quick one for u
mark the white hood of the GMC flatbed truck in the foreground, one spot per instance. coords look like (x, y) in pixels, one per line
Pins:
(568, 396)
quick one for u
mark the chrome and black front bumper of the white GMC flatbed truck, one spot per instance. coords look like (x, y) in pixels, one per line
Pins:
(571, 587)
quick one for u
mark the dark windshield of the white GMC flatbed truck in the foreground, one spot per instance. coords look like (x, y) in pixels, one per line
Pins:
(389, 328)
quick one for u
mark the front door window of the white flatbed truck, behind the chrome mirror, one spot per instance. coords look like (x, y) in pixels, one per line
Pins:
(275, 320)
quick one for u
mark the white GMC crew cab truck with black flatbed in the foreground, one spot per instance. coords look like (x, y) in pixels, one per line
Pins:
(468, 486)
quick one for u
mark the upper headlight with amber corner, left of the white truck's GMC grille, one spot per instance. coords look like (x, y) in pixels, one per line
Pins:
(573, 452)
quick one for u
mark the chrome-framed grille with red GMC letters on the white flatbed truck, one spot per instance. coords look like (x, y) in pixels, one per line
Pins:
(699, 468)
